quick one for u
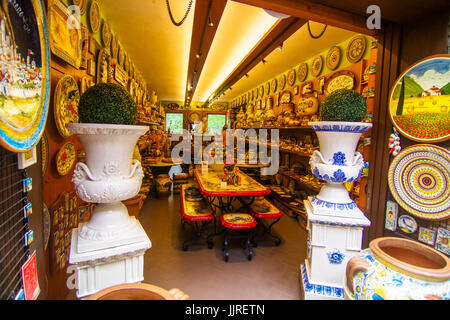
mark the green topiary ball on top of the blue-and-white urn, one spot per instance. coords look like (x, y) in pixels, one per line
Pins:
(343, 105)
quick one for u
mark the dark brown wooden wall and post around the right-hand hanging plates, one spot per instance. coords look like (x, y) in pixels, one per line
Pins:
(401, 46)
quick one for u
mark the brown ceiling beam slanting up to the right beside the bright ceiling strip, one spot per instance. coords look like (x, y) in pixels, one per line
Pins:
(279, 32)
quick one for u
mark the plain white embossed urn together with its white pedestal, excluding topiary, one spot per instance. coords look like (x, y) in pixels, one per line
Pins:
(108, 249)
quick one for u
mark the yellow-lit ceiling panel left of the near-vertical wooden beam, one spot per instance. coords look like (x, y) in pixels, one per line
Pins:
(158, 48)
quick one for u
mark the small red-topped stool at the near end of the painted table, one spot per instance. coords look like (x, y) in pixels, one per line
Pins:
(238, 221)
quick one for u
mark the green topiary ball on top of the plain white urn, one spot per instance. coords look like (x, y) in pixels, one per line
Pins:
(107, 103)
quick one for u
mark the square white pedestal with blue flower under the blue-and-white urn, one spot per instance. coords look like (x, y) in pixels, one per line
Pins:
(334, 237)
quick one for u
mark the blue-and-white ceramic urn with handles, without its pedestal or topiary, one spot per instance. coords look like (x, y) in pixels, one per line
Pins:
(337, 162)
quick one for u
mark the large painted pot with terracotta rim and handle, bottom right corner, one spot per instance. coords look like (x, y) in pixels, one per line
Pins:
(398, 269)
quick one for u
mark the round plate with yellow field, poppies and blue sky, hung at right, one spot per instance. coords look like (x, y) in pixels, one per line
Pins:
(419, 102)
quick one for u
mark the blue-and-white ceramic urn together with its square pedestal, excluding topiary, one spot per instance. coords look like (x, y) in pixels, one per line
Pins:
(335, 223)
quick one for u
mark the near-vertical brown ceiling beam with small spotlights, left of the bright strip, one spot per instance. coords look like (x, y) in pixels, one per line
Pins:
(206, 12)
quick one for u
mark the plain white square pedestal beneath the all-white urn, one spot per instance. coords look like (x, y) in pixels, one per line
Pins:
(99, 269)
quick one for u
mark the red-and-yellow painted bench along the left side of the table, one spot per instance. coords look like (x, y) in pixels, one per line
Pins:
(198, 214)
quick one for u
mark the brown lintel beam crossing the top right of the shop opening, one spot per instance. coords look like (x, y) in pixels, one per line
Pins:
(309, 10)
